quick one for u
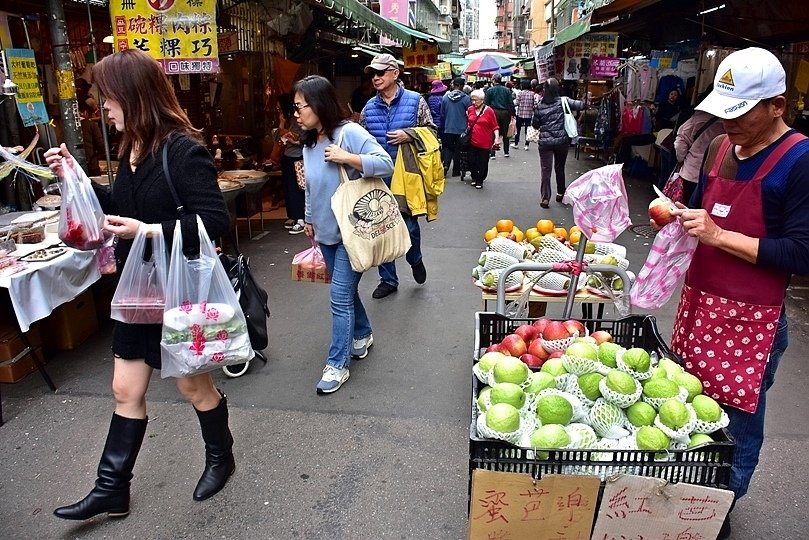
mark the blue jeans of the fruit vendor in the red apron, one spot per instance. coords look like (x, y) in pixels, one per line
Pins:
(747, 428)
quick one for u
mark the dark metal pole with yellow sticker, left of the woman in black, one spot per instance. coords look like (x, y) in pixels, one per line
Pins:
(66, 86)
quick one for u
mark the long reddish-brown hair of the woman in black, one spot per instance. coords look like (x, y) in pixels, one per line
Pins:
(151, 111)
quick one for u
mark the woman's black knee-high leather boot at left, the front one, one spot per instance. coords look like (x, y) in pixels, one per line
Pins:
(111, 494)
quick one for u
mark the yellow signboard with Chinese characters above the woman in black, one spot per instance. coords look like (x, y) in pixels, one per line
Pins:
(180, 34)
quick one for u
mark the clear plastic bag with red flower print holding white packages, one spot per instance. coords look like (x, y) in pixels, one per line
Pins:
(204, 327)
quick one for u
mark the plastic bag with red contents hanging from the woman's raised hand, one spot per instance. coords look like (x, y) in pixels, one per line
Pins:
(81, 218)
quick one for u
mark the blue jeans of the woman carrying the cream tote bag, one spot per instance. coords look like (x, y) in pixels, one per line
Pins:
(348, 318)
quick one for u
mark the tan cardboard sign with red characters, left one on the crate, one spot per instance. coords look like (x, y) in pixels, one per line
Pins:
(511, 505)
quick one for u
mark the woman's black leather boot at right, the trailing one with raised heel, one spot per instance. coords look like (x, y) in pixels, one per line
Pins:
(219, 462)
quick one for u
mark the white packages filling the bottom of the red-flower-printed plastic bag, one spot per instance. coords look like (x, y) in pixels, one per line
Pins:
(201, 337)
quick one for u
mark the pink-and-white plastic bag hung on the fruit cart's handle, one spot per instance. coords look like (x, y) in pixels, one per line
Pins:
(600, 205)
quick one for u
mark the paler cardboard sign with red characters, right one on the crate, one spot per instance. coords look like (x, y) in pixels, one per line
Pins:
(641, 508)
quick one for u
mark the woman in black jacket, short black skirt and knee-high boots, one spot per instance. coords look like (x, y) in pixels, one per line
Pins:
(140, 101)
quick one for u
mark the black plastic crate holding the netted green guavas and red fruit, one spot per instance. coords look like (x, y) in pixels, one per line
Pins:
(708, 465)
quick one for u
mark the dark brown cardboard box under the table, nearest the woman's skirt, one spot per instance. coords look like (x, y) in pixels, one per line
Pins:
(71, 323)
